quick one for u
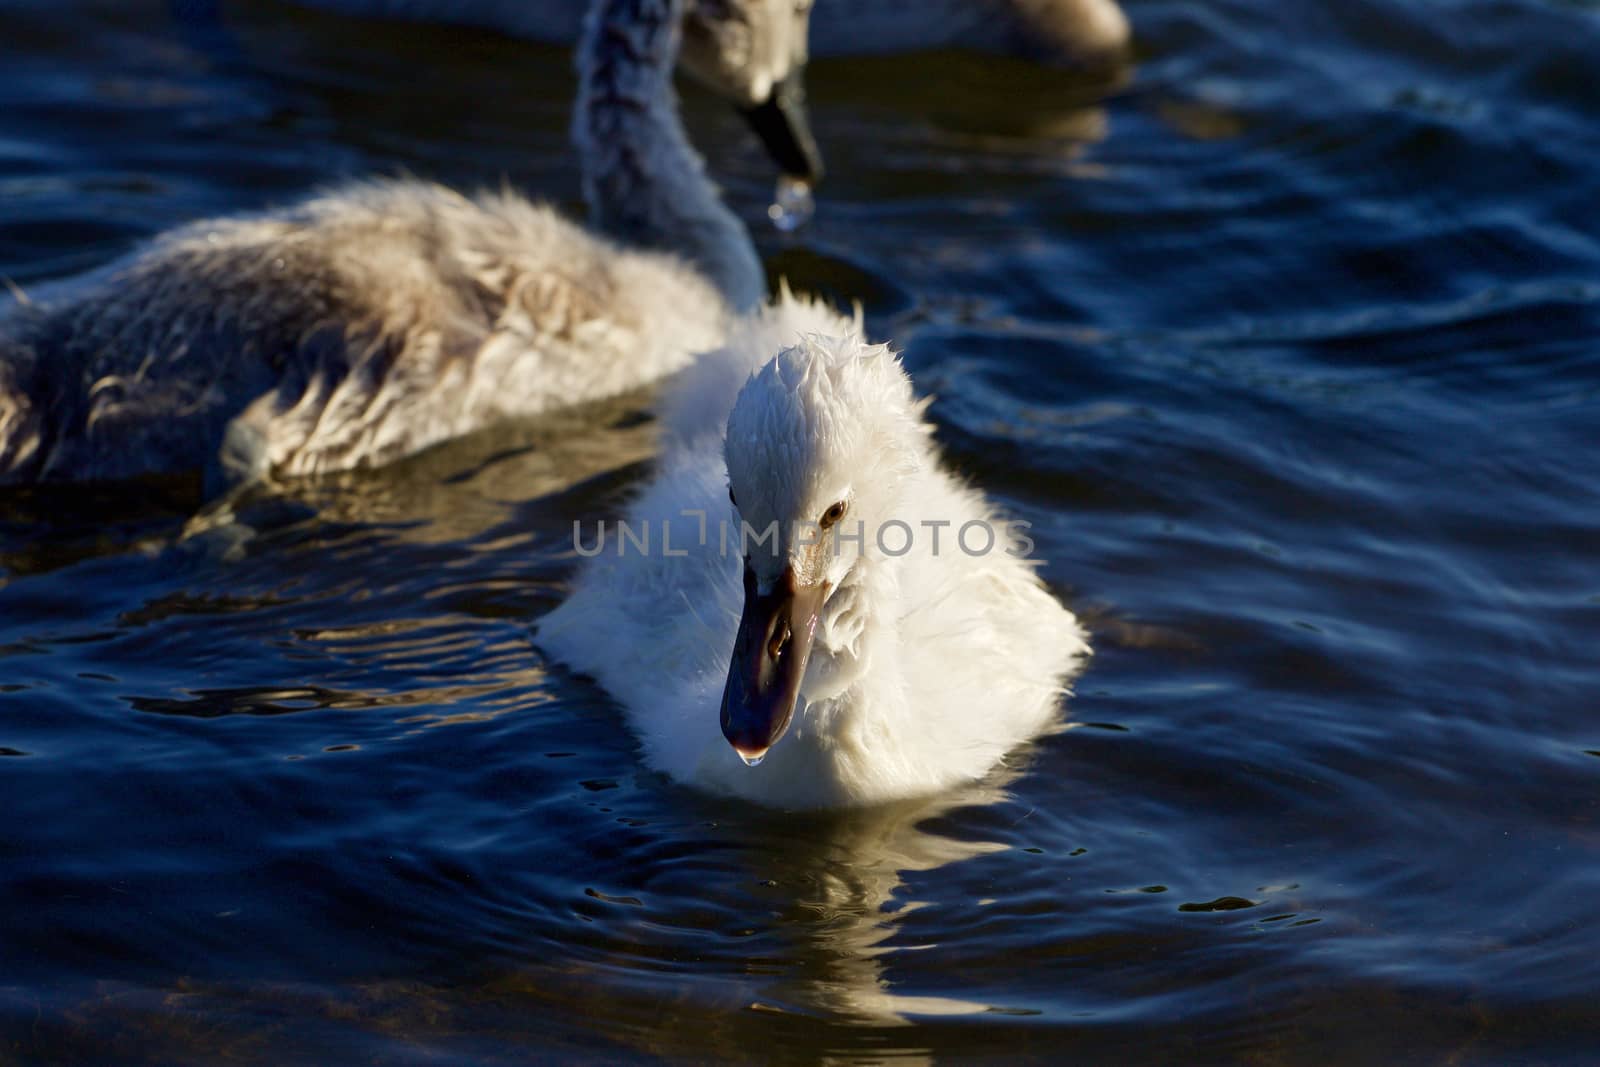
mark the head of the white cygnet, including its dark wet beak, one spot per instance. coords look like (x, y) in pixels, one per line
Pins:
(822, 446)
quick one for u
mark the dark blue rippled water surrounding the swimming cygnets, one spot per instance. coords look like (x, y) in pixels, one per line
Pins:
(1289, 346)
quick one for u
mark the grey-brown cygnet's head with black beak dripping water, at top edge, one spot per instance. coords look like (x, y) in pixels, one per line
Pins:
(754, 54)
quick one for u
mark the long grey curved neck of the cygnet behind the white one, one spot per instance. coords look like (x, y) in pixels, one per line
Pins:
(642, 180)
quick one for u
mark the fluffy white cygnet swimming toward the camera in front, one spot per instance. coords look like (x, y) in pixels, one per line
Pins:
(852, 673)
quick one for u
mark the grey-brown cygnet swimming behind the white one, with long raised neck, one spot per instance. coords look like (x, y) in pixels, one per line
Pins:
(383, 318)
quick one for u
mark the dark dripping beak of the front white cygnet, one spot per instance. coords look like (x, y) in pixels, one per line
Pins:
(769, 661)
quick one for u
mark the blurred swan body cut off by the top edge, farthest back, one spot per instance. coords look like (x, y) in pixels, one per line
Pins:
(1062, 31)
